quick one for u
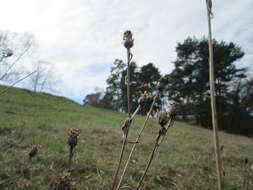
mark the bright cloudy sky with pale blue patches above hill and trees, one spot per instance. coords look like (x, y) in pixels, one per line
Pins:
(83, 37)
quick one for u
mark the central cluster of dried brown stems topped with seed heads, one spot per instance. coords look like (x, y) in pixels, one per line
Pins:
(144, 99)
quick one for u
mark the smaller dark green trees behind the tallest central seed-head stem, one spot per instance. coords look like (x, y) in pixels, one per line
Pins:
(142, 79)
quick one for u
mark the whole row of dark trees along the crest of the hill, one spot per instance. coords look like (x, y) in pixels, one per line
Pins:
(189, 85)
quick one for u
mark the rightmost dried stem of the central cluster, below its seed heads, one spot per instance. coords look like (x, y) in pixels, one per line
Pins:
(157, 144)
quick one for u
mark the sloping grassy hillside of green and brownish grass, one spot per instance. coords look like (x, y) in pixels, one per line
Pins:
(185, 160)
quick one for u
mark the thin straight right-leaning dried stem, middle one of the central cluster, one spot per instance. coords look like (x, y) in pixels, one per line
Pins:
(137, 140)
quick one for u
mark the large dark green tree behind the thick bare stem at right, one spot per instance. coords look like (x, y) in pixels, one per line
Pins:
(190, 83)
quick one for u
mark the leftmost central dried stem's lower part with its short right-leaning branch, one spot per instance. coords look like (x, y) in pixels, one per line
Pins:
(125, 140)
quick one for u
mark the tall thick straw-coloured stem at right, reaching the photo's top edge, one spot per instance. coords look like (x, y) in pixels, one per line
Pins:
(213, 101)
